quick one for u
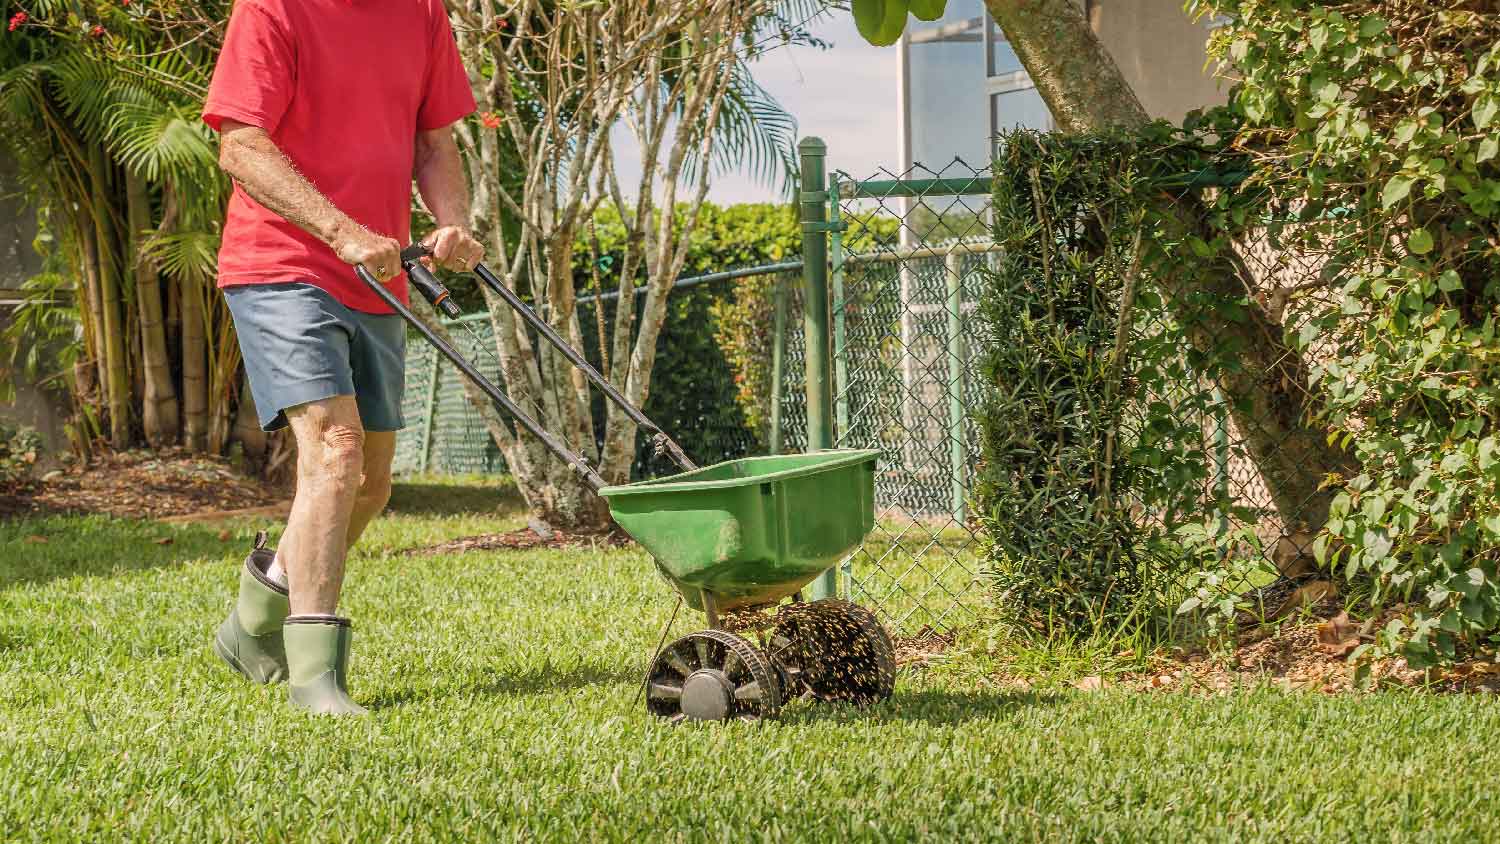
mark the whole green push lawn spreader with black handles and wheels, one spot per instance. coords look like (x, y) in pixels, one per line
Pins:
(739, 540)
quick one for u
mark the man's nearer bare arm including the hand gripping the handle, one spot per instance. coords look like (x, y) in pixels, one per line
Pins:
(259, 166)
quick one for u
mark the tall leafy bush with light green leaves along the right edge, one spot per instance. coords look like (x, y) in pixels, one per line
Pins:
(1382, 119)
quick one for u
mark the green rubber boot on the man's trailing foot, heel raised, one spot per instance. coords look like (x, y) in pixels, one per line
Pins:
(251, 639)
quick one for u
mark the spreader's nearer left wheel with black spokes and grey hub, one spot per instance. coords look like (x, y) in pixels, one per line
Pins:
(713, 677)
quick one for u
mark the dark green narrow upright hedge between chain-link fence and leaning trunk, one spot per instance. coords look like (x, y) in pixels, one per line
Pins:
(1096, 480)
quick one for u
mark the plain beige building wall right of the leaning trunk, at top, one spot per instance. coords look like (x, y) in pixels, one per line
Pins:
(1162, 53)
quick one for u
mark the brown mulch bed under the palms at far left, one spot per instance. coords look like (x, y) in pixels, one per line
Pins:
(142, 485)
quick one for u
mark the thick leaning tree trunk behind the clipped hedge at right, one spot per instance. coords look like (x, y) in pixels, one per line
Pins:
(1267, 391)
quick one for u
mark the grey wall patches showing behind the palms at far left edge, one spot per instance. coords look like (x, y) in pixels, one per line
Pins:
(34, 407)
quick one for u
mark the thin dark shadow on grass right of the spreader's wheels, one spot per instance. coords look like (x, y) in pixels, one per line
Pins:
(932, 707)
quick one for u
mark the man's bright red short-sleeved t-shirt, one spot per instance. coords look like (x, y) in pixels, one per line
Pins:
(343, 88)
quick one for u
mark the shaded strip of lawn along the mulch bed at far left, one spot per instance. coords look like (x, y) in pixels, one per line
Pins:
(38, 551)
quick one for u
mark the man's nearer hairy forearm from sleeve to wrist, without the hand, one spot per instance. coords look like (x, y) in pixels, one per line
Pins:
(259, 166)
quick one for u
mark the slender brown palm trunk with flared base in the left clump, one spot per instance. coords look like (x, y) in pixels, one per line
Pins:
(160, 406)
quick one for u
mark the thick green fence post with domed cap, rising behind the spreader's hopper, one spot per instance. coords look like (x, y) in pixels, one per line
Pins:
(815, 323)
